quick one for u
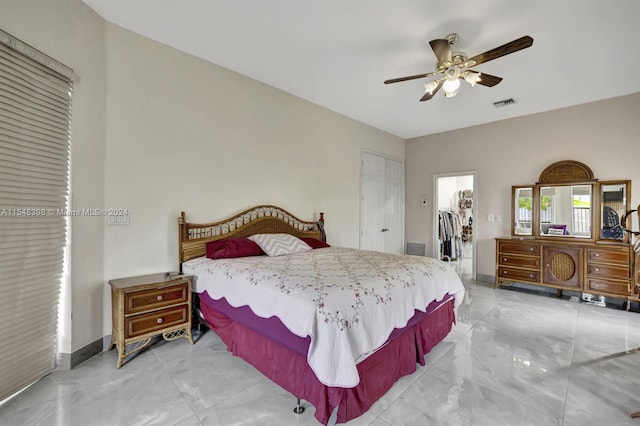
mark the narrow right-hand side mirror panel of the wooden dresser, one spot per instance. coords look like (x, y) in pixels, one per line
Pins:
(613, 205)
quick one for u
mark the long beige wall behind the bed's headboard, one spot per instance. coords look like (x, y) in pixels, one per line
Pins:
(184, 134)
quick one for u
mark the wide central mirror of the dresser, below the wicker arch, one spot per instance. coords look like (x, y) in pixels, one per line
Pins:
(565, 210)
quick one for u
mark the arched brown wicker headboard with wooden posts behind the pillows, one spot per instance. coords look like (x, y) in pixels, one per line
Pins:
(193, 237)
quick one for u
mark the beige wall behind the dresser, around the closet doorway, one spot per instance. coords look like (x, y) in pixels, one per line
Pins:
(604, 135)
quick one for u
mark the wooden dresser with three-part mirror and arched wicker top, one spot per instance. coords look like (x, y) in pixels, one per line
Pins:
(571, 231)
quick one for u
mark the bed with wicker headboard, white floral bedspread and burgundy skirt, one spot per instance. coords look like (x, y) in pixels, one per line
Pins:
(334, 326)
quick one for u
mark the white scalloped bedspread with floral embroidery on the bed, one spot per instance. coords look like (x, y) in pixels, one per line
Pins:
(347, 300)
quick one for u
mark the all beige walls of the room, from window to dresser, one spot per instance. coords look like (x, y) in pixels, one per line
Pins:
(176, 133)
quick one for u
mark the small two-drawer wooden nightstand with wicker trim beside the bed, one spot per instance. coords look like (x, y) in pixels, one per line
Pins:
(146, 306)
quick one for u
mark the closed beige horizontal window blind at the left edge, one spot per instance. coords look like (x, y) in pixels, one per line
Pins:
(35, 112)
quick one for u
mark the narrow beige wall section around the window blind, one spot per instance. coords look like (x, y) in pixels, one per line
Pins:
(73, 34)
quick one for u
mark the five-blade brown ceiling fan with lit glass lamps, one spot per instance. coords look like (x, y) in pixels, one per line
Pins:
(454, 66)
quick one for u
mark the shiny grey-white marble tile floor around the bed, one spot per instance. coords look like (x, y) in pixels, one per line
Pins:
(514, 358)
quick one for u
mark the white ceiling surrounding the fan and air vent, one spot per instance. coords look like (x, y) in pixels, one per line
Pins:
(337, 53)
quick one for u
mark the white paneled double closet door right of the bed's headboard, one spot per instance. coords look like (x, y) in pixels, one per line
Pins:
(382, 204)
